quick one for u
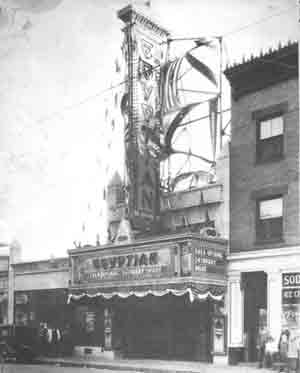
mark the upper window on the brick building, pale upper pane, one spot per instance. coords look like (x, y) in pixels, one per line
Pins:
(270, 139)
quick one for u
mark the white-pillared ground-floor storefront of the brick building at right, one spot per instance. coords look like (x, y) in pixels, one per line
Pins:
(264, 291)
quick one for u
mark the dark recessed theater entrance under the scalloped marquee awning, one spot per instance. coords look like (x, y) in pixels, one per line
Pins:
(167, 327)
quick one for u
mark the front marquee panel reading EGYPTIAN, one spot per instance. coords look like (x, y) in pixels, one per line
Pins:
(122, 267)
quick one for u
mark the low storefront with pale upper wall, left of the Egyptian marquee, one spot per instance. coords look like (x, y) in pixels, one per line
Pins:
(40, 292)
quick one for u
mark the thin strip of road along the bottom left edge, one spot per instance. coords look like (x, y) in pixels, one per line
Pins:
(19, 368)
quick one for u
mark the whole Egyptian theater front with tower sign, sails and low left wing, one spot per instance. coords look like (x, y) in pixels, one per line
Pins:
(157, 288)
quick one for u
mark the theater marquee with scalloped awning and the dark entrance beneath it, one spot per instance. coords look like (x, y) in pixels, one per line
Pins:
(159, 298)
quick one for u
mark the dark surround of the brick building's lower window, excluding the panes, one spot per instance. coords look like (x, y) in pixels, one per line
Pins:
(259, 234)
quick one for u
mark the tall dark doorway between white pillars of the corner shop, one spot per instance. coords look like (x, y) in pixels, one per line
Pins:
(255, 309)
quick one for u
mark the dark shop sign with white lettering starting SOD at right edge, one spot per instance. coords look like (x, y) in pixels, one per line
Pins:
(291, 300)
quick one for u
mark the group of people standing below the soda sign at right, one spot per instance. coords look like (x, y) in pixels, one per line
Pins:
(286, 350)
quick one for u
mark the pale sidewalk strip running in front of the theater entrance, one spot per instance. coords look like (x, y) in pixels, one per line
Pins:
(148, 366)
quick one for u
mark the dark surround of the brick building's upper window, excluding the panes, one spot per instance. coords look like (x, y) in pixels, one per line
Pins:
(260, 143)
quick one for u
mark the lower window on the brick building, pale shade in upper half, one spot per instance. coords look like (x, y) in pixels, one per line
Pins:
(269, 219)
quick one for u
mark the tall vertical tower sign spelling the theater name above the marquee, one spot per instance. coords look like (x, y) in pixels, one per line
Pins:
(144, 50)
